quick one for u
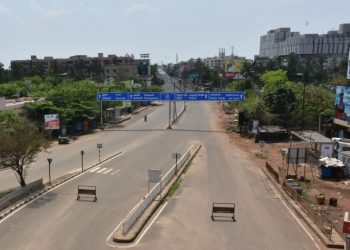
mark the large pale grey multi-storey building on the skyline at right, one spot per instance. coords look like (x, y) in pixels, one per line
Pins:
(333, 46)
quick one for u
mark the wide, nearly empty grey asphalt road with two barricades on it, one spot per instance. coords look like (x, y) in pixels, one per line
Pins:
(58, 221)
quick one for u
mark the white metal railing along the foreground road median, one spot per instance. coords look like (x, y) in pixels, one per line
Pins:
(155, 191)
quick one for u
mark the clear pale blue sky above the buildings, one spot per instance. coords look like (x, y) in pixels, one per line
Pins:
(162, 28)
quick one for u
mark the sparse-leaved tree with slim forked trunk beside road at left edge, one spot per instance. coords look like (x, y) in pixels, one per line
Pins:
(21, 141)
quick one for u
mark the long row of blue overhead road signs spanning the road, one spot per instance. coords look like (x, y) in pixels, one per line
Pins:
(173, 96)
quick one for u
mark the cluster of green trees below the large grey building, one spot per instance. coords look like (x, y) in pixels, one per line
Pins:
(281, 102)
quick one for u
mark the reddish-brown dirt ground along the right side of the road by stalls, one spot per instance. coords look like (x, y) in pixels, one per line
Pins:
(272, 154)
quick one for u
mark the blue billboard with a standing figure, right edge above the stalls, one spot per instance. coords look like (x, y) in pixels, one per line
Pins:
(342, 106)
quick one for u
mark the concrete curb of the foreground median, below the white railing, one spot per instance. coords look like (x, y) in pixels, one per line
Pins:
(132, 234)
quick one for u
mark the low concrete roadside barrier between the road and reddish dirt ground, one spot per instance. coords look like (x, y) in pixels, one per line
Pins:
(301, 214)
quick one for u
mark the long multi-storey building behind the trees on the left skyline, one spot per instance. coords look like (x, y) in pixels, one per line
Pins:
(100, 67)
